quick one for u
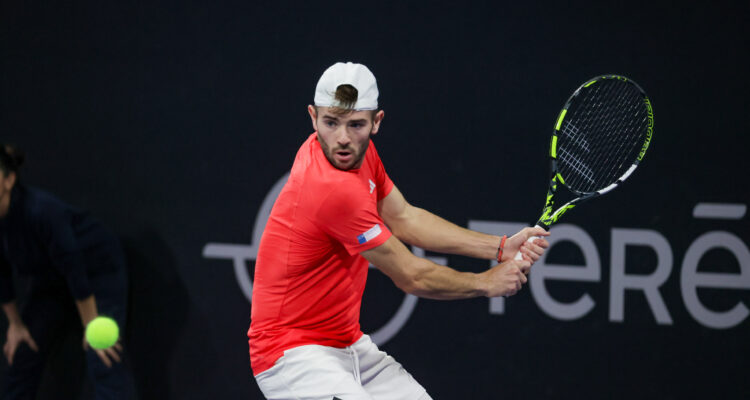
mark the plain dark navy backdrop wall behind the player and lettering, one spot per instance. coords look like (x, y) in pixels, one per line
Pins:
(171, 122)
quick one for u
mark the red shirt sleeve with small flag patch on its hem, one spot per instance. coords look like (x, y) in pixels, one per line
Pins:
(350, 216)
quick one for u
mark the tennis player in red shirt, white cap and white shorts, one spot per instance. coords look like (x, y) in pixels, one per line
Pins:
(339, 210)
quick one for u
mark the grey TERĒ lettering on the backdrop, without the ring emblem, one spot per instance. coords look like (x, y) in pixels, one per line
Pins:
(648, 284)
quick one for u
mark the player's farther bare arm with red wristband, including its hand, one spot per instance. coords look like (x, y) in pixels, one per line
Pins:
(424, 229)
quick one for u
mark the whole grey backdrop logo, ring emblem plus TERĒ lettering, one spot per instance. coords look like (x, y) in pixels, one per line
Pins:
(647, 284)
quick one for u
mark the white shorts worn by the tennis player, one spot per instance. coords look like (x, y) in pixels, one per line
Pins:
(357, 372)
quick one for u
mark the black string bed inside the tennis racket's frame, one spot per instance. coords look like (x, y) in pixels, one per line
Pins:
(600, 138)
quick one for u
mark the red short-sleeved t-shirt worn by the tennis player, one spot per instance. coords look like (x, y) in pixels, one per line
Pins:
(309, 275)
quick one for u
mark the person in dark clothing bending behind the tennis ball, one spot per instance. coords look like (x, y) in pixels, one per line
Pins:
(69, 258)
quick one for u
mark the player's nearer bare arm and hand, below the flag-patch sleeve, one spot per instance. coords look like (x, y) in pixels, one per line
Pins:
(421, 277)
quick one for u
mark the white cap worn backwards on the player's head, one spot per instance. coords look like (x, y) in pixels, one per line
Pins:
(356, 75)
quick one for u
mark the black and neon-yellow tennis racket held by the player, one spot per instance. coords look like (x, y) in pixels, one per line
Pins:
(600, 137)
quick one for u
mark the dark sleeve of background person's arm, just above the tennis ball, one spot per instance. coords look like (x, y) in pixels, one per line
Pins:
(55, 228)
